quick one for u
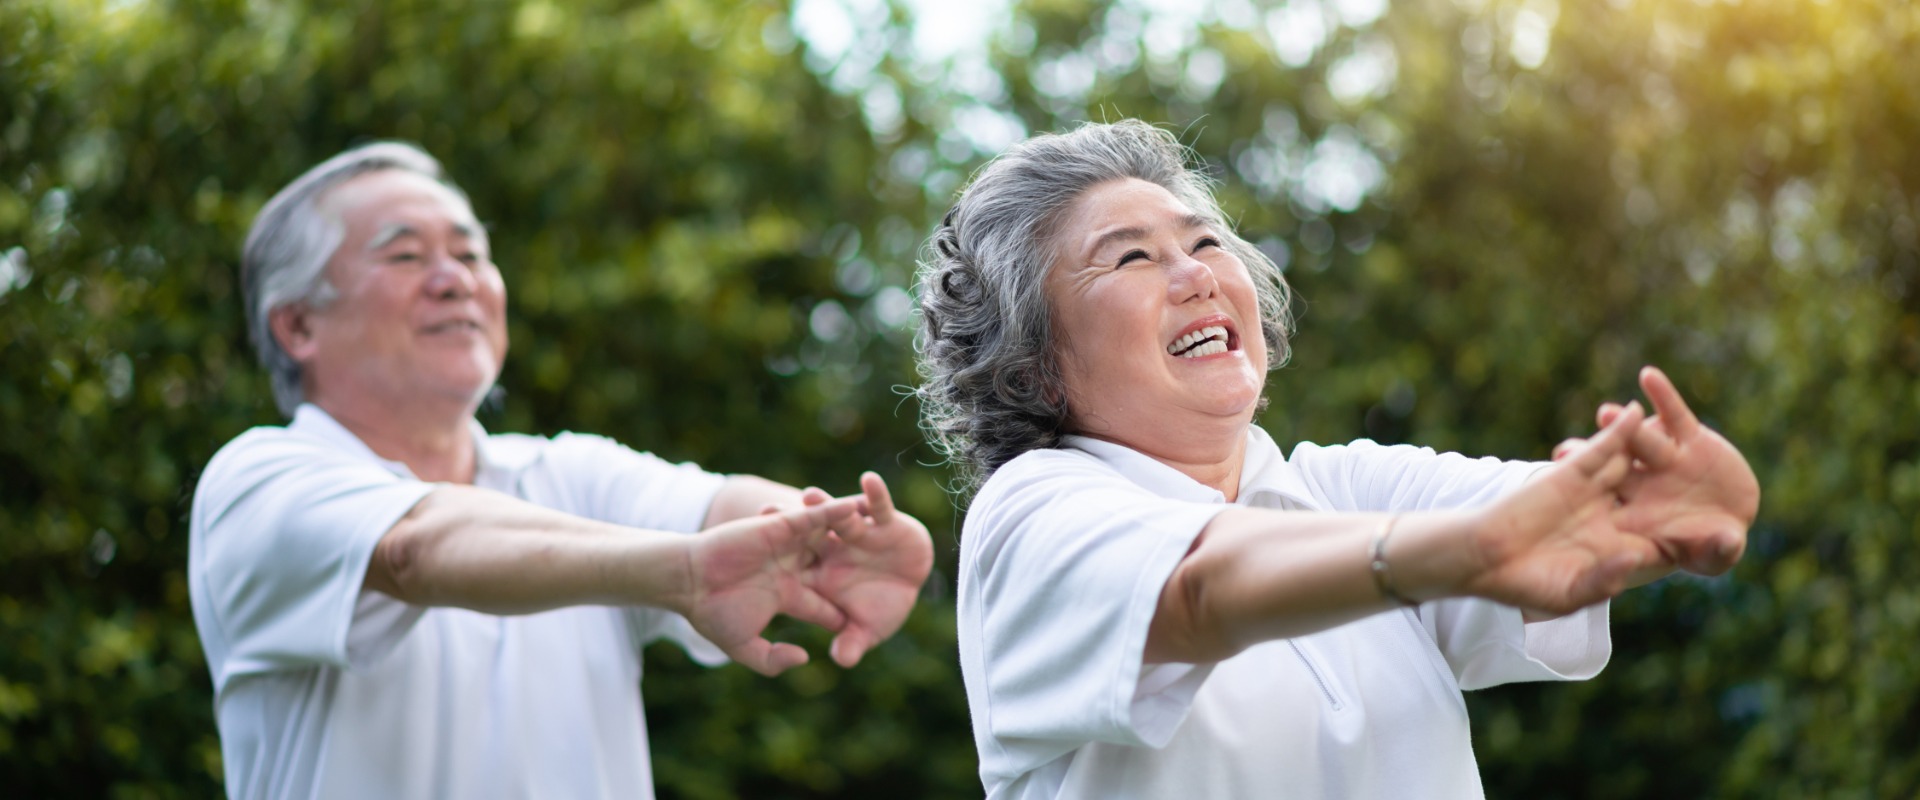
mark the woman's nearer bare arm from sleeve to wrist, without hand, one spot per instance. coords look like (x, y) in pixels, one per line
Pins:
(1260, 575)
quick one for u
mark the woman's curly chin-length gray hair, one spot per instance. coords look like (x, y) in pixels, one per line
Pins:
(992, 385)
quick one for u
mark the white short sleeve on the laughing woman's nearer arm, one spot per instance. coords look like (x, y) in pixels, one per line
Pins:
(1063, 567)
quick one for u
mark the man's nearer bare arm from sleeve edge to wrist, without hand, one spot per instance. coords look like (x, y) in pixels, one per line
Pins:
(492, 553)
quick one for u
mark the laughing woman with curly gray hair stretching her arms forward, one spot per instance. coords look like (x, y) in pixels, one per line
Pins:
(1155, 603)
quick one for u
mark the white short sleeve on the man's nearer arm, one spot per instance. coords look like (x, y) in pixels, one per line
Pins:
(283, 530)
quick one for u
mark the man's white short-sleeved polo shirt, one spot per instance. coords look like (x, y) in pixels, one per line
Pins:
(325, 690)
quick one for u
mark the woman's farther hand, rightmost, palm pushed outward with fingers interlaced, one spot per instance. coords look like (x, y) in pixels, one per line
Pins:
(1691, 490)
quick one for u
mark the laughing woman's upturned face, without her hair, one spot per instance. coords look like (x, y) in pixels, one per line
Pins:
(1157, 323)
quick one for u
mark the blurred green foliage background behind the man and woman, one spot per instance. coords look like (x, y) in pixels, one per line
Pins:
(1495, 212)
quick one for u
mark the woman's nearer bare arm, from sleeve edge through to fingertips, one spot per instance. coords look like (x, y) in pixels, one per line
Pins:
(1548, 548)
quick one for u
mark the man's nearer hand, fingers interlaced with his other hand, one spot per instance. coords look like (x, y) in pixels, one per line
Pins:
(744, 573)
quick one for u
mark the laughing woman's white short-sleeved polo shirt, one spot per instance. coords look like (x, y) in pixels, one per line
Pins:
(1063, 559)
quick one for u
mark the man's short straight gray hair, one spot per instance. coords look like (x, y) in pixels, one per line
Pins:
(293, 239)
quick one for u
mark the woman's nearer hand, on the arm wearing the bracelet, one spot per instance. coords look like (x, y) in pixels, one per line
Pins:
(1556, 544)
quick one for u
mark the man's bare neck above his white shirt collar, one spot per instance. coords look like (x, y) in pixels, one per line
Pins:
(437, 444)
